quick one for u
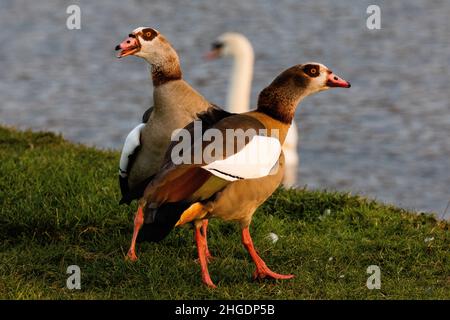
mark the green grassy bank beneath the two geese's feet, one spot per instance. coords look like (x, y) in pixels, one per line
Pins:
(58, 207)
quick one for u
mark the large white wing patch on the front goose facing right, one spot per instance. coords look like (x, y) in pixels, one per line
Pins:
(255, 160)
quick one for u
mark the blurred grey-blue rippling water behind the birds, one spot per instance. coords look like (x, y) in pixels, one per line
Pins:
(386, 138)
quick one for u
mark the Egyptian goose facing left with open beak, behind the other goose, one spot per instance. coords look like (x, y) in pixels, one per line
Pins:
(176, 104)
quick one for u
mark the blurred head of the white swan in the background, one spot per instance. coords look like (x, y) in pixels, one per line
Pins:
(229, 44)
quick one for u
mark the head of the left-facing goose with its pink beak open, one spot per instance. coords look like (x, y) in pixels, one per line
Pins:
(147, 43)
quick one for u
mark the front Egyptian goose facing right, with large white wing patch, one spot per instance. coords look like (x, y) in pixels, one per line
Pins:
(230, 187)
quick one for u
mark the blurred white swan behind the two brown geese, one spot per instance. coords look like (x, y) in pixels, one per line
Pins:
(237, 46)
